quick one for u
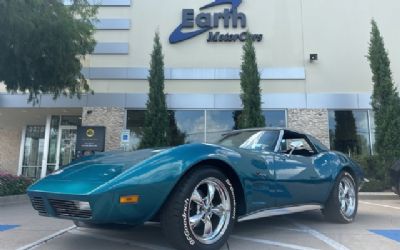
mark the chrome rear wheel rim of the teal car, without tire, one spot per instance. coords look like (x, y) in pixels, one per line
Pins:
(347, 197)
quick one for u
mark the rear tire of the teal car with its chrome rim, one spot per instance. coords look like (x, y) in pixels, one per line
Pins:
(342, 204)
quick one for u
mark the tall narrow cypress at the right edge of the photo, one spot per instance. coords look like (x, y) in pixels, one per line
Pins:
(385, 98)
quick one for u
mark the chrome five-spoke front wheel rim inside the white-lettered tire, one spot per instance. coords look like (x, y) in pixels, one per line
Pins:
(209, 210)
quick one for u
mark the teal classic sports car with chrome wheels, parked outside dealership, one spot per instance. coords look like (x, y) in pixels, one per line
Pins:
(199, 191)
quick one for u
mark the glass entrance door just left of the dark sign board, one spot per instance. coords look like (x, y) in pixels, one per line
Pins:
(66, 145)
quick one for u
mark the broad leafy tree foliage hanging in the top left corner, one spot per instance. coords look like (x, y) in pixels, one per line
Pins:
(42, 43)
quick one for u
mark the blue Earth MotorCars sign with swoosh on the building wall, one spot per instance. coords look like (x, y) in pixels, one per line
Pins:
(205, 21)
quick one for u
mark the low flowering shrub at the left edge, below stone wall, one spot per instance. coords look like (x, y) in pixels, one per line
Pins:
(13, 185)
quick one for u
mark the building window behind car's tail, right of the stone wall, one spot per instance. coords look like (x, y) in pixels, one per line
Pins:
(350, 132)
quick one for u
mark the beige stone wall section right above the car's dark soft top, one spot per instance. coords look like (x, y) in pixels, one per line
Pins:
(310, 121)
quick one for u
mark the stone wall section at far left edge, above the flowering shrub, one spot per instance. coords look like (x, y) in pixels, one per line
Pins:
(10, 140)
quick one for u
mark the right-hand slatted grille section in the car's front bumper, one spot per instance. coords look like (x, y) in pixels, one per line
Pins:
(64, 208)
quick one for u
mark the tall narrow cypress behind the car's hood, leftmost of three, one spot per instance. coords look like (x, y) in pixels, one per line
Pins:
(156, 116)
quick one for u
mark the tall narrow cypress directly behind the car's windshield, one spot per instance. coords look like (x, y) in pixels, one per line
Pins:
(251, 115)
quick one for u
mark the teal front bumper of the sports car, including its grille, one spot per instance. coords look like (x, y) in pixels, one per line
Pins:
(104, 208)
